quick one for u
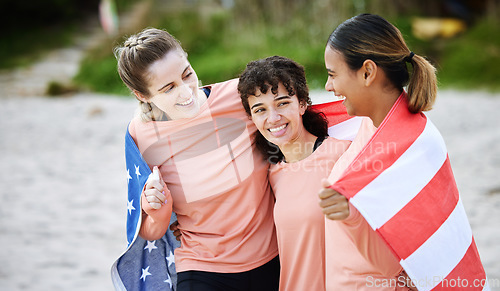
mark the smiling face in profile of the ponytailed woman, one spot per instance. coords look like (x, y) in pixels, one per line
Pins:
(345, 83)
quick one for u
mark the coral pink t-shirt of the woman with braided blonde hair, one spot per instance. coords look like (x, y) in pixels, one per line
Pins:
(218, 182)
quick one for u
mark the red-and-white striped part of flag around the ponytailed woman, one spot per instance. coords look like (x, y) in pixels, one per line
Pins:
(403, 185)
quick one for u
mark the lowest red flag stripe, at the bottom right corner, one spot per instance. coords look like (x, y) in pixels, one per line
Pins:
(467, 275)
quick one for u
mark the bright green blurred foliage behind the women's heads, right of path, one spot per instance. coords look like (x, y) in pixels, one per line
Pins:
(221, 41)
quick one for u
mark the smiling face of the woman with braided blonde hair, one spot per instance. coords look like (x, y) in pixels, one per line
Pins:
(173, 85)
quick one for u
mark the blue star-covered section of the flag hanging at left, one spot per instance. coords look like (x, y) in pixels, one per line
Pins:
(145, 265)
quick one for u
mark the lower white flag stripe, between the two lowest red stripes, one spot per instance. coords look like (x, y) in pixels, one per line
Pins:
(447, 246)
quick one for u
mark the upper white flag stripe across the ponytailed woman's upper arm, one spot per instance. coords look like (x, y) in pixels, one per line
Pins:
(382, 198)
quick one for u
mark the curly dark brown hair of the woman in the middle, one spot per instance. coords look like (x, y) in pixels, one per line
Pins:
(266, 74)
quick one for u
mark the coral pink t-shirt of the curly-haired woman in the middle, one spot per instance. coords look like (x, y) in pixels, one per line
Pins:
(299, 219)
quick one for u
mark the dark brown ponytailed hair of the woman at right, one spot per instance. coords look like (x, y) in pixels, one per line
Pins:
(369, 36)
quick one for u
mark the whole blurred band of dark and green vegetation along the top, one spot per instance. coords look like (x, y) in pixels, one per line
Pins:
(460, 37)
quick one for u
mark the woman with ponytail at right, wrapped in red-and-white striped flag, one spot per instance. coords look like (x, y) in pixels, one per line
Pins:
(405, 210)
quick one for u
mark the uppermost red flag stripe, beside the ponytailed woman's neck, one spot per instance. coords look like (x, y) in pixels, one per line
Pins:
(382, 150)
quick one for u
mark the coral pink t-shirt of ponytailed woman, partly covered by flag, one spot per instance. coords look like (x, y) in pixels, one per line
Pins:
(356, 257)
